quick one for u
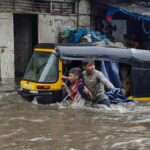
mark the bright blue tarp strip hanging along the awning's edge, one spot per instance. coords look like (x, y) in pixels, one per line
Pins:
(113, 10)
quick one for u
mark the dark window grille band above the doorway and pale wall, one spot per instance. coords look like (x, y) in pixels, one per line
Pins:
(38, 6)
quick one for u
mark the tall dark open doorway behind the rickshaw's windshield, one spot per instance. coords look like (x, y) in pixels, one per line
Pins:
(25, 38)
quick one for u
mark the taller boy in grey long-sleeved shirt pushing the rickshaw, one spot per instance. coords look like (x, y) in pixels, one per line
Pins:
(95, 82)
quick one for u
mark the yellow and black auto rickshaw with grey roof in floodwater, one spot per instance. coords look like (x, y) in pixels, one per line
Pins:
(43, 77)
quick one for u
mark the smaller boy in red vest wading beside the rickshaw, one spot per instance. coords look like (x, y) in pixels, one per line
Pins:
(77, 90)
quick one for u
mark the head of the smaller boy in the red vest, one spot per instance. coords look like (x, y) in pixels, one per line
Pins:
(75, 74)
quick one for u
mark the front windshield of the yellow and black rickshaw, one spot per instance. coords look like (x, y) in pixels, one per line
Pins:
(43, 67)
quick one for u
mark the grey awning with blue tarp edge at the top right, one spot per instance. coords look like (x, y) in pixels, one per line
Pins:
(137, 9)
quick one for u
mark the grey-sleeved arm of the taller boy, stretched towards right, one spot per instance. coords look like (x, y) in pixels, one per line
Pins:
(105, 81)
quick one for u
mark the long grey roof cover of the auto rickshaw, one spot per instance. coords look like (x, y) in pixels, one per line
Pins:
(80, 52)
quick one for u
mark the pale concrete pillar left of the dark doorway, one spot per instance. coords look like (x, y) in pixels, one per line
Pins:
(6, 48)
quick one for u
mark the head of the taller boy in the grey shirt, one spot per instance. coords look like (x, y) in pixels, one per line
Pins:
(88, 65)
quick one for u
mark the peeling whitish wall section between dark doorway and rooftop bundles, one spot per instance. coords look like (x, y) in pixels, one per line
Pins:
(49, 26)
